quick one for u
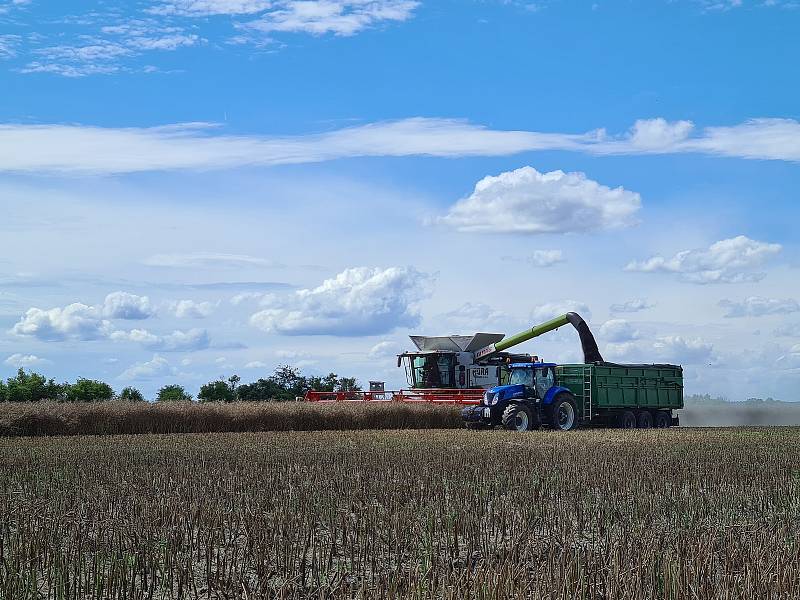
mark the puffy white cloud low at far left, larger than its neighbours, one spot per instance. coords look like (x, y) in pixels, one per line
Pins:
(76, 321)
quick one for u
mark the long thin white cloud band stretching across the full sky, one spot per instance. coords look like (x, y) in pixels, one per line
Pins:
(191, 146)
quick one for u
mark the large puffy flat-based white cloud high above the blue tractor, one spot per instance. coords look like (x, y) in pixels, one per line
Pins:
(527, 201)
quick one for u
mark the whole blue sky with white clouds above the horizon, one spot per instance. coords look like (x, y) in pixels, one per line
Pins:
(196, 188)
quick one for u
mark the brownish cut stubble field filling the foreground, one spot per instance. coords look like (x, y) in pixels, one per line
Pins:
(403, 514)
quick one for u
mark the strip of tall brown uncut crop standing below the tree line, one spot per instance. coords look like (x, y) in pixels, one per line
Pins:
(110, 418)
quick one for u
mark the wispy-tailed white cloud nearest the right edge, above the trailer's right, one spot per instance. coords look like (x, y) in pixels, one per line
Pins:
(727, 261)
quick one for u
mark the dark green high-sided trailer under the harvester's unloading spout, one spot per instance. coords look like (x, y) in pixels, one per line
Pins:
(624, 395)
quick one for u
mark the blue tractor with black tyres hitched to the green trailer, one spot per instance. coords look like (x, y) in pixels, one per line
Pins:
(530, 399)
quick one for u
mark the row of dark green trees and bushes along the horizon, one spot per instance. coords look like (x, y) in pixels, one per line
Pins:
(286, 383)
